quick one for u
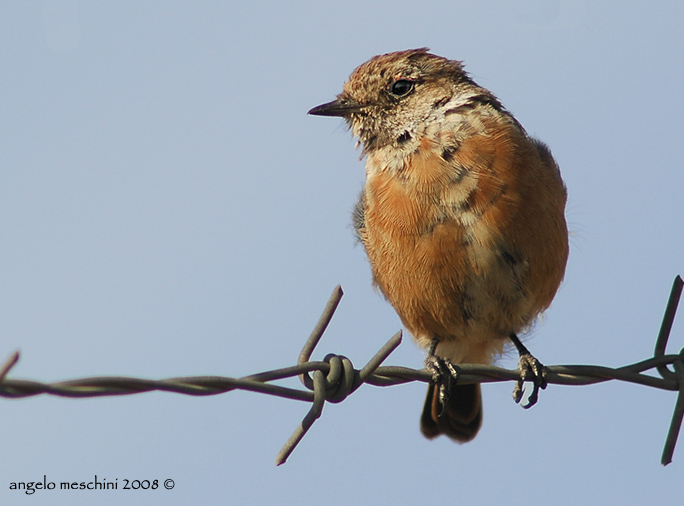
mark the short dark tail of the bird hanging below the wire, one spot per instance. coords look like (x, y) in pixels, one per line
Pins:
(460, 419)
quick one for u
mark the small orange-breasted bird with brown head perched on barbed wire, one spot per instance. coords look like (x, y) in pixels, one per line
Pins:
(462, 217)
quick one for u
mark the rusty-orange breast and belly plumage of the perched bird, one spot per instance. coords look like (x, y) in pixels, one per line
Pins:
(468, 249)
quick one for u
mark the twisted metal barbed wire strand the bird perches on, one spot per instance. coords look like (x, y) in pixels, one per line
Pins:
(335, 377)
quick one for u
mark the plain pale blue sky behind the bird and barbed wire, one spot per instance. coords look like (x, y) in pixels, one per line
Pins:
(167, 208)
